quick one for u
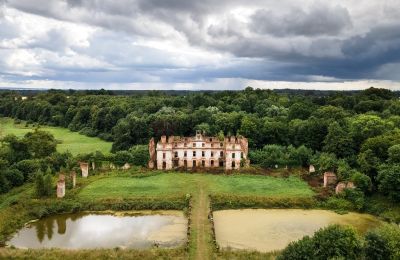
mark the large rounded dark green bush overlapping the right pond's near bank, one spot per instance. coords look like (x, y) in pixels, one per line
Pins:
(327, 243)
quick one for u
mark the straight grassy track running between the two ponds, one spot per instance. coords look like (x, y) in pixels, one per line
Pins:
(201, 246)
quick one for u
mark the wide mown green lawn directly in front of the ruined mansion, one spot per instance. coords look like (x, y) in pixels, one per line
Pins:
(181, 183)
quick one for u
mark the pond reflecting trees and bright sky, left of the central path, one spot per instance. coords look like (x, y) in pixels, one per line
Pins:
(104, 230)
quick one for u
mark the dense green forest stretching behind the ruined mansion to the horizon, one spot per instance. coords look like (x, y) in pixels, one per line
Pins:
(354, 134)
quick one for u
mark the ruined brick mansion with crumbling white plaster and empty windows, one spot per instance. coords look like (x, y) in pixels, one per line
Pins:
(199, 151)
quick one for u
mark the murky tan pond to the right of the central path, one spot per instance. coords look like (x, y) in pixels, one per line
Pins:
(273, 229)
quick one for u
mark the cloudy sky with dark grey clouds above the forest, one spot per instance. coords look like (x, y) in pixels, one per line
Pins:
(208, 44)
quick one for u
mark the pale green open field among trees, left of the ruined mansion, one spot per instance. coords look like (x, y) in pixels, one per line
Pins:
(70, 141)
